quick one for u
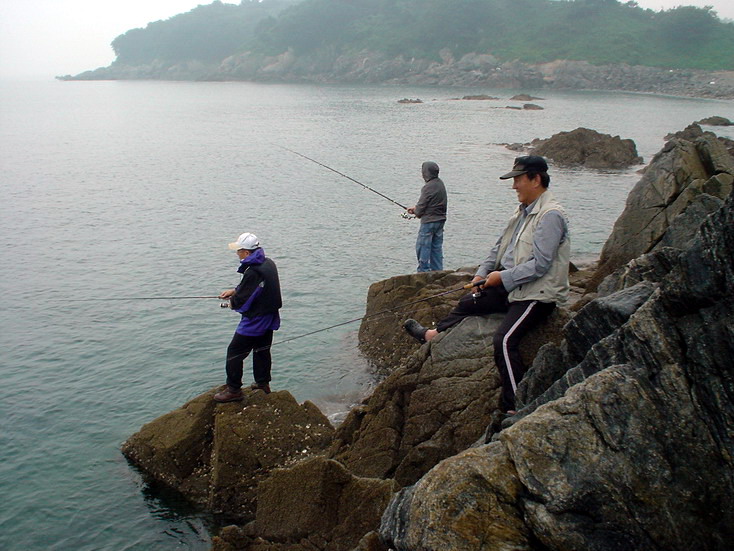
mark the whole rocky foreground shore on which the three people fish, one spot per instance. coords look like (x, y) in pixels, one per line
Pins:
(624, 438)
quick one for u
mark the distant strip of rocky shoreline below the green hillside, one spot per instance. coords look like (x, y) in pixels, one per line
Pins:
(474, 69)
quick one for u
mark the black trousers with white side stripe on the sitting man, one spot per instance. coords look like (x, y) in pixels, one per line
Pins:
(521, 317)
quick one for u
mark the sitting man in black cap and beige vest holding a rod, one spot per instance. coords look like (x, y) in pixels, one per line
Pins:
(524, 276)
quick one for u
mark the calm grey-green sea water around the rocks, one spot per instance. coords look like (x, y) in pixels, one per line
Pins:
(133, 189)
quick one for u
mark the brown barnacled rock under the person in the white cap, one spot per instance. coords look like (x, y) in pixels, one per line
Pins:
(216, 454)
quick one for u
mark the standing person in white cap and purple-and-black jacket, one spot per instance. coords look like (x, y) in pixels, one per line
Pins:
(258, 299)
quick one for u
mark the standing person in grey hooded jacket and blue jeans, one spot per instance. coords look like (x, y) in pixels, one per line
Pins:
(431, 209)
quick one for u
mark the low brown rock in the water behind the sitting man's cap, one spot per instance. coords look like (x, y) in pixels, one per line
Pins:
(584, 147)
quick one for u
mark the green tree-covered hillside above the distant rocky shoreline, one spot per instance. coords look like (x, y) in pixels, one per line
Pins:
(598, 31)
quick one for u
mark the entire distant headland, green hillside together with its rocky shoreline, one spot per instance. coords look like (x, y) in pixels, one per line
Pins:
(586, 44)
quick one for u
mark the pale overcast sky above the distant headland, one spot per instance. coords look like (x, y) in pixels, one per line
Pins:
(45, 38)
